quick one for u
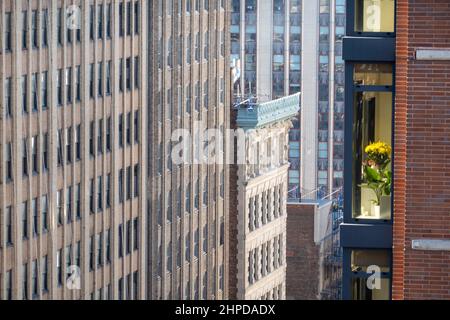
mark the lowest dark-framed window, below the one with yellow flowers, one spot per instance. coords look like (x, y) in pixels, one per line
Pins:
(364, 263)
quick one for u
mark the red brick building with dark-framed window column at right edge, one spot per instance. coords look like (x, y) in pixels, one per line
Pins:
(402, 233)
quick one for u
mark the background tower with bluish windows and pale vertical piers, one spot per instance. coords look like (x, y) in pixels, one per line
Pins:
(286, 46)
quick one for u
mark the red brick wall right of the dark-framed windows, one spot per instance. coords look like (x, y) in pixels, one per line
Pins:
(422, 178)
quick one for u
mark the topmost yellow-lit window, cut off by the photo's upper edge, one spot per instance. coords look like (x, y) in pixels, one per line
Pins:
(374, 15)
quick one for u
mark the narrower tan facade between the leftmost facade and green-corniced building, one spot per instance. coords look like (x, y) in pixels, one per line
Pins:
(187, 203)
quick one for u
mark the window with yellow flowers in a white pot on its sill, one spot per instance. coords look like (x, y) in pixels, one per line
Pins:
(372, 123)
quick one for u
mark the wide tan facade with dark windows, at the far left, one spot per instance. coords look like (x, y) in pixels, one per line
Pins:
(73, 149)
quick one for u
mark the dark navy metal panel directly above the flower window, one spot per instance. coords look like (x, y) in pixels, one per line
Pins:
(372, 49)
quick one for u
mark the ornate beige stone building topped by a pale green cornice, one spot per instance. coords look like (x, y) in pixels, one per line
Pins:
(259, 238)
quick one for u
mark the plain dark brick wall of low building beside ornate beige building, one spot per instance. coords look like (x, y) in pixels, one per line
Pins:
(302, 255)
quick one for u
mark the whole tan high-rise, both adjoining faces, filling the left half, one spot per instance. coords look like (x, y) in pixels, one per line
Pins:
(91, 206)
